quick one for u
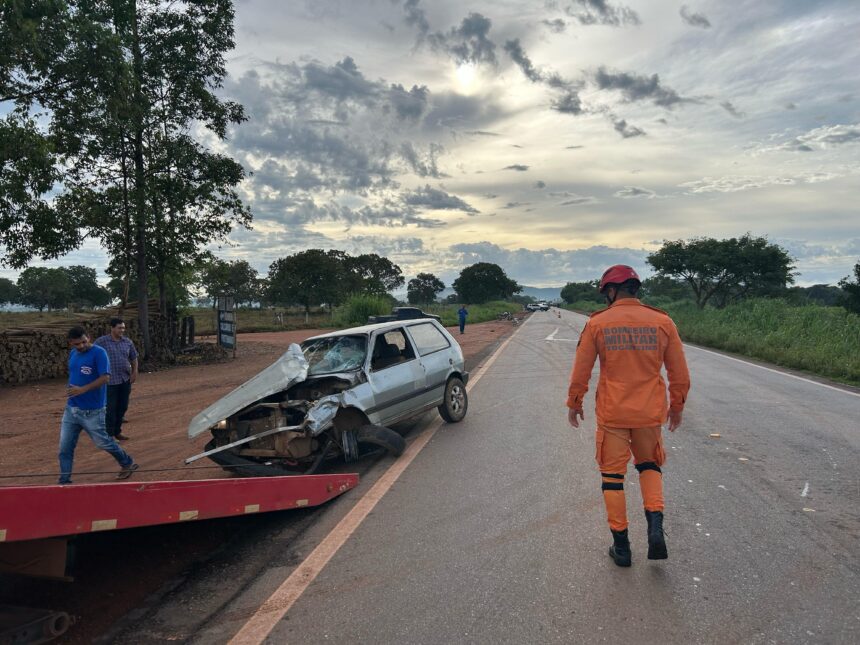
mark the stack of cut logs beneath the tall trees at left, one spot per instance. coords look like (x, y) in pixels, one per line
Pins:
(42, 351)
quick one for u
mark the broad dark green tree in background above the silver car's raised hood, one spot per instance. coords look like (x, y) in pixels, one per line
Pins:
(311, 277)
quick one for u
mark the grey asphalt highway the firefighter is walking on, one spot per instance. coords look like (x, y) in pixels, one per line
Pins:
(496, 533)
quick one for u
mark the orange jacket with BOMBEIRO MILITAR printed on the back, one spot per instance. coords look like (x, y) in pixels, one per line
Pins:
(633, 341)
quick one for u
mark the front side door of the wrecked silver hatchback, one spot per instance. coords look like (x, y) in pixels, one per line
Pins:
(395, 375)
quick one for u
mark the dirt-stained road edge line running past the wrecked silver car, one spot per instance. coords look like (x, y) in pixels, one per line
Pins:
(269, 614)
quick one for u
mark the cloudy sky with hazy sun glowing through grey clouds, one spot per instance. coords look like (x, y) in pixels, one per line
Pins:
(553, 138)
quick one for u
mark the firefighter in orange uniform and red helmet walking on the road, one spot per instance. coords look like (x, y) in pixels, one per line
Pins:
(633, 342)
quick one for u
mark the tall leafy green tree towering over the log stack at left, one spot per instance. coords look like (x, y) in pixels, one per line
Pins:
(123, 86)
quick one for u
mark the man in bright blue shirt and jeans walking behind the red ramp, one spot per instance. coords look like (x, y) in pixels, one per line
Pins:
(89, 372)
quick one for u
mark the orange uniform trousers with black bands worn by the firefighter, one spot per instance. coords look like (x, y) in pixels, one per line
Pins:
(614, 446)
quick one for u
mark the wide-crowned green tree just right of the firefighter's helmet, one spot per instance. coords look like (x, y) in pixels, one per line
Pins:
(724, 271)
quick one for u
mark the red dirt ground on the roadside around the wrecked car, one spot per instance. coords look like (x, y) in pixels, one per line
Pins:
(162, 405)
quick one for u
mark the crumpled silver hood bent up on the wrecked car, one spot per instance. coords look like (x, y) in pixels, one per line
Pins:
(289, 369)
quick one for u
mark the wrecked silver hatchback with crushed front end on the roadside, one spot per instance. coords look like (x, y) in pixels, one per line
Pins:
(335, 398)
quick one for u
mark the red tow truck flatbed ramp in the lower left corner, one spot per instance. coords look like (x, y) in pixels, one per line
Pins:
(36, 522)
